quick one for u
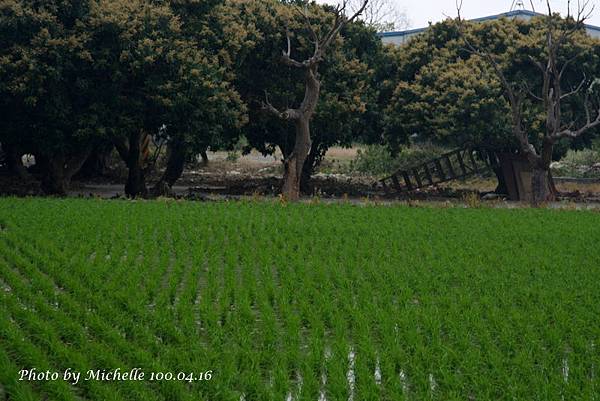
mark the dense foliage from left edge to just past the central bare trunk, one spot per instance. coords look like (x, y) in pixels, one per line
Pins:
(78, 75)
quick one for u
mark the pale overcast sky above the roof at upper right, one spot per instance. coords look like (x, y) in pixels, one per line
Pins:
(421, 12)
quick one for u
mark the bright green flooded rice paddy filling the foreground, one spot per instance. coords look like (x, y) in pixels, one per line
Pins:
(264, 301)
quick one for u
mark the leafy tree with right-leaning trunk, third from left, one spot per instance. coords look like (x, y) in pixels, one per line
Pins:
(212, 113)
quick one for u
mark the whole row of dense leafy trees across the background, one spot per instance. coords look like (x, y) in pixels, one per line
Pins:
(82, 79)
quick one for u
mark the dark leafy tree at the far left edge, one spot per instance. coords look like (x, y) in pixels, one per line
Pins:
(47, 86)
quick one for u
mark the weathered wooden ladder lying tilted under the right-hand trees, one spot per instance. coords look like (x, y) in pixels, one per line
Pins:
(458, 164)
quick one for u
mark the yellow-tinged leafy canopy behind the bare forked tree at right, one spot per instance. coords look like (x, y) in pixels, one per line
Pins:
(447, 94)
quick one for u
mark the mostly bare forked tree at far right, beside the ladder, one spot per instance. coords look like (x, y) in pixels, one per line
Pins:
(553, 52)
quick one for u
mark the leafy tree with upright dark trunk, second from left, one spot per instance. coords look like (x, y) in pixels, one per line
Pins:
(136, 47)
